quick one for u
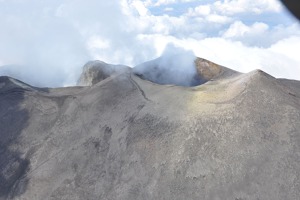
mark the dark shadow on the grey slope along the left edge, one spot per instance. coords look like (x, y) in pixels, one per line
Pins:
(13, 119)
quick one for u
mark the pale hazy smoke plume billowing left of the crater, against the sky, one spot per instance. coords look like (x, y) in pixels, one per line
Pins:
(47, 43)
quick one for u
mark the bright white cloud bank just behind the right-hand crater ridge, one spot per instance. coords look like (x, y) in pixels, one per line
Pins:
(279, 60)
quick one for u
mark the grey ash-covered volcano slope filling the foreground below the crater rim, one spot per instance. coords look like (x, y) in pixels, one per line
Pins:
(234, 137)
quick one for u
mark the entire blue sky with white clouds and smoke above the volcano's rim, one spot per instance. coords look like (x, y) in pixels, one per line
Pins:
(46, 43)
